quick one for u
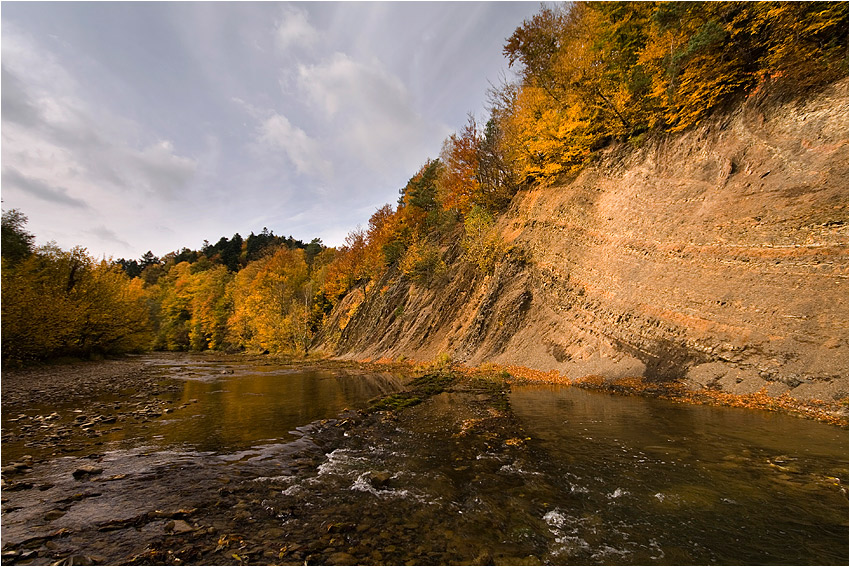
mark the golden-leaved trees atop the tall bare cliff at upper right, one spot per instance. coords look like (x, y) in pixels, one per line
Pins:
(594, 72)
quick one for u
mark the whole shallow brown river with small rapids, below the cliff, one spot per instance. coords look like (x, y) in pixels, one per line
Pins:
(263, 464)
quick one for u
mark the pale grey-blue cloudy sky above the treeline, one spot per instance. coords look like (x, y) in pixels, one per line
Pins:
(129, 127)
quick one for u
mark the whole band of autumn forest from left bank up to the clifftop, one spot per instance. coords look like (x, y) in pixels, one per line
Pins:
(588, 75)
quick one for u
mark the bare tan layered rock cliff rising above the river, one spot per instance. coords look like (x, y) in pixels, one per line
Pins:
(718, 256)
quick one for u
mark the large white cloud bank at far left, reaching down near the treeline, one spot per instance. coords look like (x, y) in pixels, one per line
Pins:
(69, 163)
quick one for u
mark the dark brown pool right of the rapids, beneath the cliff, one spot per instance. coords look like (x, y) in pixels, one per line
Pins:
(697, 484)
